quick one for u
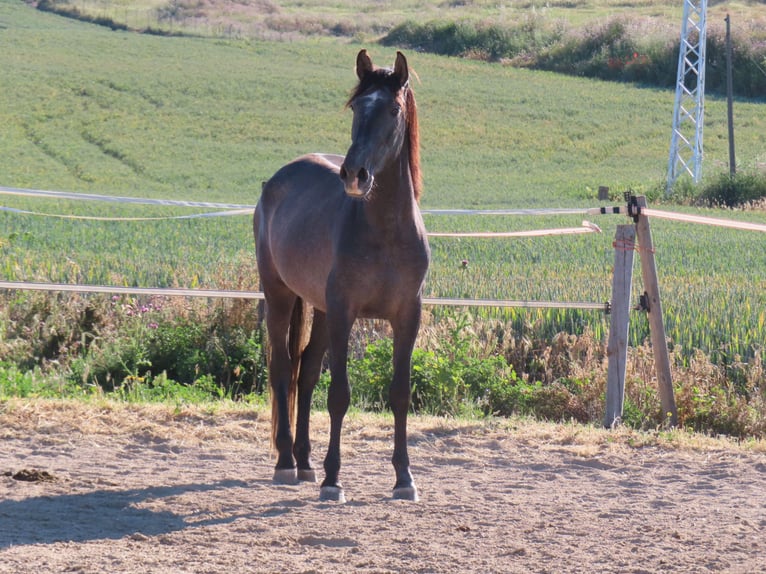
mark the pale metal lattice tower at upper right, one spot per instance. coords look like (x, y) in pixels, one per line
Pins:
(689, 108)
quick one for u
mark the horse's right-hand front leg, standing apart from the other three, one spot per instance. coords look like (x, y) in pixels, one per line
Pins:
(405, 333)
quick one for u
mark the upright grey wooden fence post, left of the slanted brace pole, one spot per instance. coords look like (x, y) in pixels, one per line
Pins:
(617, 348)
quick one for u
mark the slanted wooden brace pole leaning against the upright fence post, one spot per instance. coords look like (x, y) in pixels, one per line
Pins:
(656, 326)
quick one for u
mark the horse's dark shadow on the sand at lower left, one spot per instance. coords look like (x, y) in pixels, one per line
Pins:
(99, 515)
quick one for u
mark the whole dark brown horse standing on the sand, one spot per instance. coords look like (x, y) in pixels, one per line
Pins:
(343, 235)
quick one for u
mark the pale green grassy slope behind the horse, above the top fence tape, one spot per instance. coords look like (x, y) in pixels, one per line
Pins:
(91, 109)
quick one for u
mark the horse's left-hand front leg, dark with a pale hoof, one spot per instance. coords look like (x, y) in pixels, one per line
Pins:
(338, 399)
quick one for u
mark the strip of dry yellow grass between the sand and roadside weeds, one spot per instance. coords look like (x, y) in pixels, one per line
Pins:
(232, 423)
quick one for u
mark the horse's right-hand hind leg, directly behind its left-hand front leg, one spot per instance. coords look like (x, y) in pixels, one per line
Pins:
(311, 365)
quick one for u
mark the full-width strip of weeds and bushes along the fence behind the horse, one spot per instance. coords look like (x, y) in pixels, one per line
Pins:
(462, 365)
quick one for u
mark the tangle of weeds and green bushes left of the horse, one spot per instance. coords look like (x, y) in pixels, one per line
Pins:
(103, 341)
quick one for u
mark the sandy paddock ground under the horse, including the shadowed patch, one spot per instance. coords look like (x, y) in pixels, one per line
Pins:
(110, 488)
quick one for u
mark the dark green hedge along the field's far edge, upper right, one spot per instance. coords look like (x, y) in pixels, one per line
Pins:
(616, 49)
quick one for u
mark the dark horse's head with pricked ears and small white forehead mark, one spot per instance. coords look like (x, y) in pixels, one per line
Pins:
(380, 105)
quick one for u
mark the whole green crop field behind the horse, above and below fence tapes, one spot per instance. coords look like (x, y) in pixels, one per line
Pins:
(86, 109)
